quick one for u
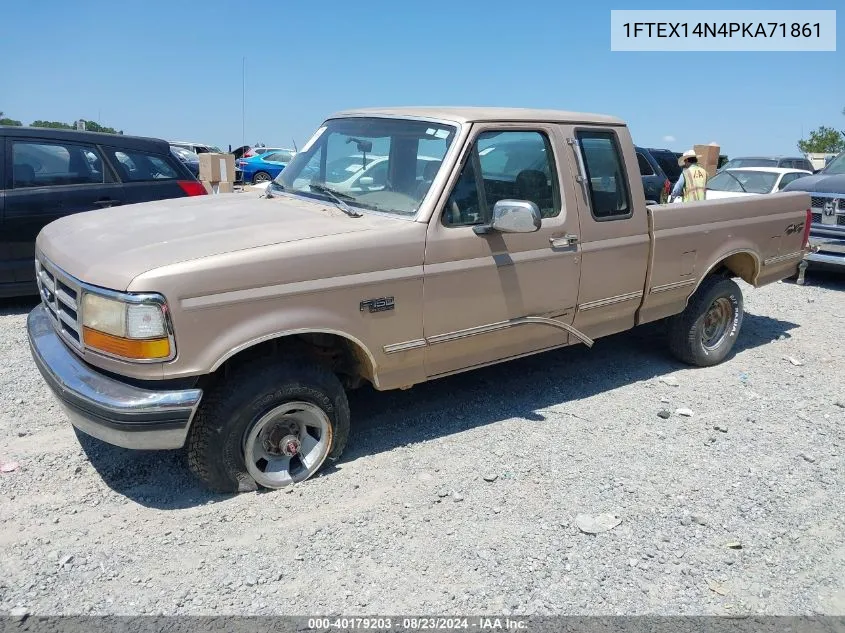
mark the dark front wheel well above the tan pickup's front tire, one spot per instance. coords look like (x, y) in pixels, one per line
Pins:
(344, 357)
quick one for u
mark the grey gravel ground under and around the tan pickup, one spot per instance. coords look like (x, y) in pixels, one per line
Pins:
(463, 496)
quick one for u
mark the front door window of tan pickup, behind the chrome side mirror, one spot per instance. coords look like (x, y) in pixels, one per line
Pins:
(504, 165)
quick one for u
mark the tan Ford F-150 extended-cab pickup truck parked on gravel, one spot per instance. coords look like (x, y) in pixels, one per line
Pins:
(398, 246)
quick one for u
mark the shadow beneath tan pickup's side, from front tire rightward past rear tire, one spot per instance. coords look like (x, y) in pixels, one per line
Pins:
(522, 387)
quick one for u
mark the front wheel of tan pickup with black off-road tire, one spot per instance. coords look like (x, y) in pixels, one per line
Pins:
(250, 413)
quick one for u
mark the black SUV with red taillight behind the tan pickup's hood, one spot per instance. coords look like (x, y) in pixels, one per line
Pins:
(47, 173)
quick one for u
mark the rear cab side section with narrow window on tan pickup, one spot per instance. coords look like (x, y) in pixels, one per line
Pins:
(615, 243)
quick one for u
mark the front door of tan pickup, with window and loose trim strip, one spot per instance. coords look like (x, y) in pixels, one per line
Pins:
(483, 292)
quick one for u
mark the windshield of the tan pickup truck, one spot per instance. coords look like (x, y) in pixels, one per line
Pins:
(375, 163)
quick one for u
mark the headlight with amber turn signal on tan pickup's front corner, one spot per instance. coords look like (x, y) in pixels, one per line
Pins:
(130, 329)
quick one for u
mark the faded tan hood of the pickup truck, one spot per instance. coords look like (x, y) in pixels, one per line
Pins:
(110, 247)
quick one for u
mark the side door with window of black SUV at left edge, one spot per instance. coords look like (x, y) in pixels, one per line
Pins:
(50, 179)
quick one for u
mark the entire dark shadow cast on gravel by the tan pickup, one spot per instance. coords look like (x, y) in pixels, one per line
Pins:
(382, 421)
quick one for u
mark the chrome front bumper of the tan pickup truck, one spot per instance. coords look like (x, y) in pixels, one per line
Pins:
(108, 409)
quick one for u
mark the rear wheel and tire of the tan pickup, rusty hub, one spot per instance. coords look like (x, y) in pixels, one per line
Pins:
(692, 339)
